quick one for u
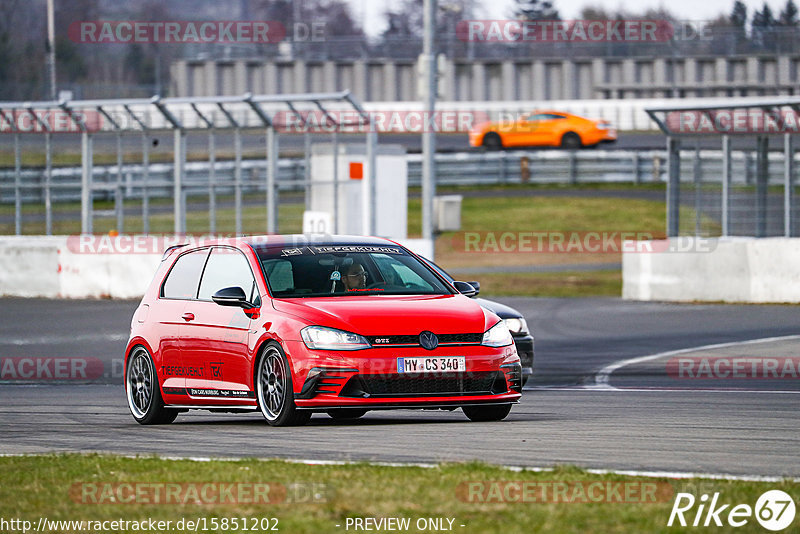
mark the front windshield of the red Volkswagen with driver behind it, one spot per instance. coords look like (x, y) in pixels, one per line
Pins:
(346, 270)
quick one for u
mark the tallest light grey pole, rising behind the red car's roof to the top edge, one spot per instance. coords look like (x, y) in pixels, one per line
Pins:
(429, 104)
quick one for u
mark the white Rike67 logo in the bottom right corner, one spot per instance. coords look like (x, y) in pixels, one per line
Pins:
(774, 510)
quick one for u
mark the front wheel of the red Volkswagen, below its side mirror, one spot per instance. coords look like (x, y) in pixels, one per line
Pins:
(274, 391)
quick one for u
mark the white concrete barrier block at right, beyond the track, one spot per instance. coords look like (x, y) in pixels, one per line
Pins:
(738, 269)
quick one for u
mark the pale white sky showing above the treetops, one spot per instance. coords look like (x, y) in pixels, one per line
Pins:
(371, 10)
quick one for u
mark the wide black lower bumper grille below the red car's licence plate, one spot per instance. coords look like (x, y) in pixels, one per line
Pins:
(413, 385)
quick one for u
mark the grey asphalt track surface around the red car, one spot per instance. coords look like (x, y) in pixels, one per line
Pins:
(668, 425)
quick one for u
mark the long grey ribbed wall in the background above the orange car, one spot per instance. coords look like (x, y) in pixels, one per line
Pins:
(507, 80)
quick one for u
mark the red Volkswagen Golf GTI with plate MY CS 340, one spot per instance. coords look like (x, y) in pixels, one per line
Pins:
(290, 327)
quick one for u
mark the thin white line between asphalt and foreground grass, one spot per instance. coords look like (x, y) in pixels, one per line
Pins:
(515, 468)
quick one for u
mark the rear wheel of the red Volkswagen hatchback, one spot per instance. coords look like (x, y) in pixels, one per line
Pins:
(143, 391)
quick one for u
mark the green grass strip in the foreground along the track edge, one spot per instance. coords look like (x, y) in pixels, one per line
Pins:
(318, 498)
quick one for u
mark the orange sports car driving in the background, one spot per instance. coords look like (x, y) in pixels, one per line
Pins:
(543, 128)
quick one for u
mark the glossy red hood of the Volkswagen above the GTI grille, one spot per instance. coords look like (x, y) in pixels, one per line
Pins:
(377, 315)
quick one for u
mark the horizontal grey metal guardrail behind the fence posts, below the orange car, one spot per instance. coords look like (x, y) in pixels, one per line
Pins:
(467, 168)
